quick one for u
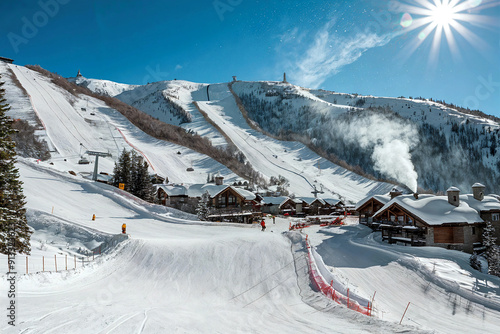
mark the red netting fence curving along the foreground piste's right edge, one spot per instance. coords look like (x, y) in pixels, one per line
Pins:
(326, 288)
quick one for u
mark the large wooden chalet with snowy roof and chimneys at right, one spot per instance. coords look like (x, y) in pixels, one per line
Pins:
(453, 221)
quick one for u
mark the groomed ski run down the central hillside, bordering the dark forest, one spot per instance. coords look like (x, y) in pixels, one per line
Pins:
(302, 167)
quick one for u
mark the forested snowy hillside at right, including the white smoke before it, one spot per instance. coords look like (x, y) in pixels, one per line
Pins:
(415, 142)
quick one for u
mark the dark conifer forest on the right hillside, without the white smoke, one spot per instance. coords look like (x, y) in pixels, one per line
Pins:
(439, 159)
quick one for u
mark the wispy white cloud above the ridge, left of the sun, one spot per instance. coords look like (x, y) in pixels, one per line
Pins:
(311, 64)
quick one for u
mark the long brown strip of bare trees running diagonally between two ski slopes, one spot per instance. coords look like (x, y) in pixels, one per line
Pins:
(161, 130)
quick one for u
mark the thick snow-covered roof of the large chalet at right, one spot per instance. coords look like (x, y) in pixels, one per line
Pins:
(436, 210)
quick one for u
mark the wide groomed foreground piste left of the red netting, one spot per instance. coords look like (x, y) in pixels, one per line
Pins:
(172, 275)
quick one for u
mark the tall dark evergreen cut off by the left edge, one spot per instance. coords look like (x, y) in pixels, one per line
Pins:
(14, 230)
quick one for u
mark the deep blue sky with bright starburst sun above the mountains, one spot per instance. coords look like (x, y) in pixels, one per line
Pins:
(361, 46)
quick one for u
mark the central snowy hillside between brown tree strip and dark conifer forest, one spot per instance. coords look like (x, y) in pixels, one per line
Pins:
(222, 119)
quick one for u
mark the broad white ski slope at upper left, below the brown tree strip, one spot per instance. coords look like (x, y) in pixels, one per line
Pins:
(75, 125)
